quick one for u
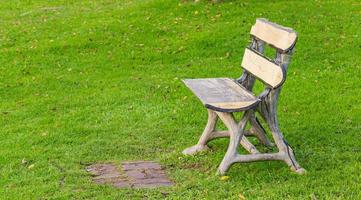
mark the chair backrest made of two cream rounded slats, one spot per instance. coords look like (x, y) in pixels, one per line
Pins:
(282, 39)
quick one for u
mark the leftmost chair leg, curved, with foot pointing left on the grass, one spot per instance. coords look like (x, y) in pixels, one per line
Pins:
(206, 135)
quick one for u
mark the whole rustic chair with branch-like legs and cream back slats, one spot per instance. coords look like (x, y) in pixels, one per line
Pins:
(223, 96)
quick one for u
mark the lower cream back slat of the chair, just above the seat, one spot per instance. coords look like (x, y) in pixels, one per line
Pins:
(264, 69)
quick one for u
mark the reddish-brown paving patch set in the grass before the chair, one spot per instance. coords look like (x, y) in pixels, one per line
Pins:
(134, 174)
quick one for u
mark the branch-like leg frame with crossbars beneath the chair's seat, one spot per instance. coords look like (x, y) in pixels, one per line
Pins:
(237, 134)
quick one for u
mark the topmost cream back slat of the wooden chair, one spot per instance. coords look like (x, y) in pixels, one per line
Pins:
(278, 36)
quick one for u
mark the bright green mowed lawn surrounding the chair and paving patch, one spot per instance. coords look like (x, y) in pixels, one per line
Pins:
(100, 81)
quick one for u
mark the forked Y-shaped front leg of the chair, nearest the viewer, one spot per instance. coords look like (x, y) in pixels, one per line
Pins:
(236, 133)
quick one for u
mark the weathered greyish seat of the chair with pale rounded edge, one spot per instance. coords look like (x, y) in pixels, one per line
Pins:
(222, 94)
